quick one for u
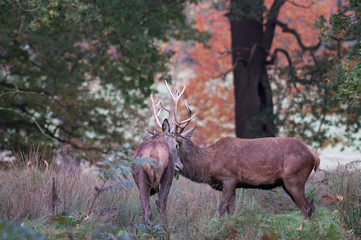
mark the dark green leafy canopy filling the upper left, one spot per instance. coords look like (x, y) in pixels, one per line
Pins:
(78, 72)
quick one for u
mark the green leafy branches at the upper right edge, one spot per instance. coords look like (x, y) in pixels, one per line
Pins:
(344, 27)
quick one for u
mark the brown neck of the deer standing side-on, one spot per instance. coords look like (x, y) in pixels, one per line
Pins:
(196, 161)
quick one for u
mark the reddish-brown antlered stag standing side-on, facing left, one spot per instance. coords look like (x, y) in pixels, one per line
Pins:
(263, 163)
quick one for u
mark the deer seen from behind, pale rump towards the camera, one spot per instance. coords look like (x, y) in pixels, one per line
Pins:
(156, 177)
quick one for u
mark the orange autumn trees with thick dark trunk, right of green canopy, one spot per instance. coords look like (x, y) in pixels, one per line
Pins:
(295, 95)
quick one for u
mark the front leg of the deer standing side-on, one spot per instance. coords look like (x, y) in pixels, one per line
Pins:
(228, 197)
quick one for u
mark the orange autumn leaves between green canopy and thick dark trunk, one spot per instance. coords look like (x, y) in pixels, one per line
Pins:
(208, 95)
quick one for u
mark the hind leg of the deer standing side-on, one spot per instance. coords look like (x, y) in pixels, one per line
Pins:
(296, 190)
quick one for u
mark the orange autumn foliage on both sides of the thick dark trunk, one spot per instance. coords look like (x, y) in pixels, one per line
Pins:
(210, 86)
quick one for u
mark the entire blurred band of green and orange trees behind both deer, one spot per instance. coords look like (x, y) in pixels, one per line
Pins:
(79, 73)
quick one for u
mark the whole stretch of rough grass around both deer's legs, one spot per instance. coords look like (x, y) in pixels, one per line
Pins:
(27, 198)
